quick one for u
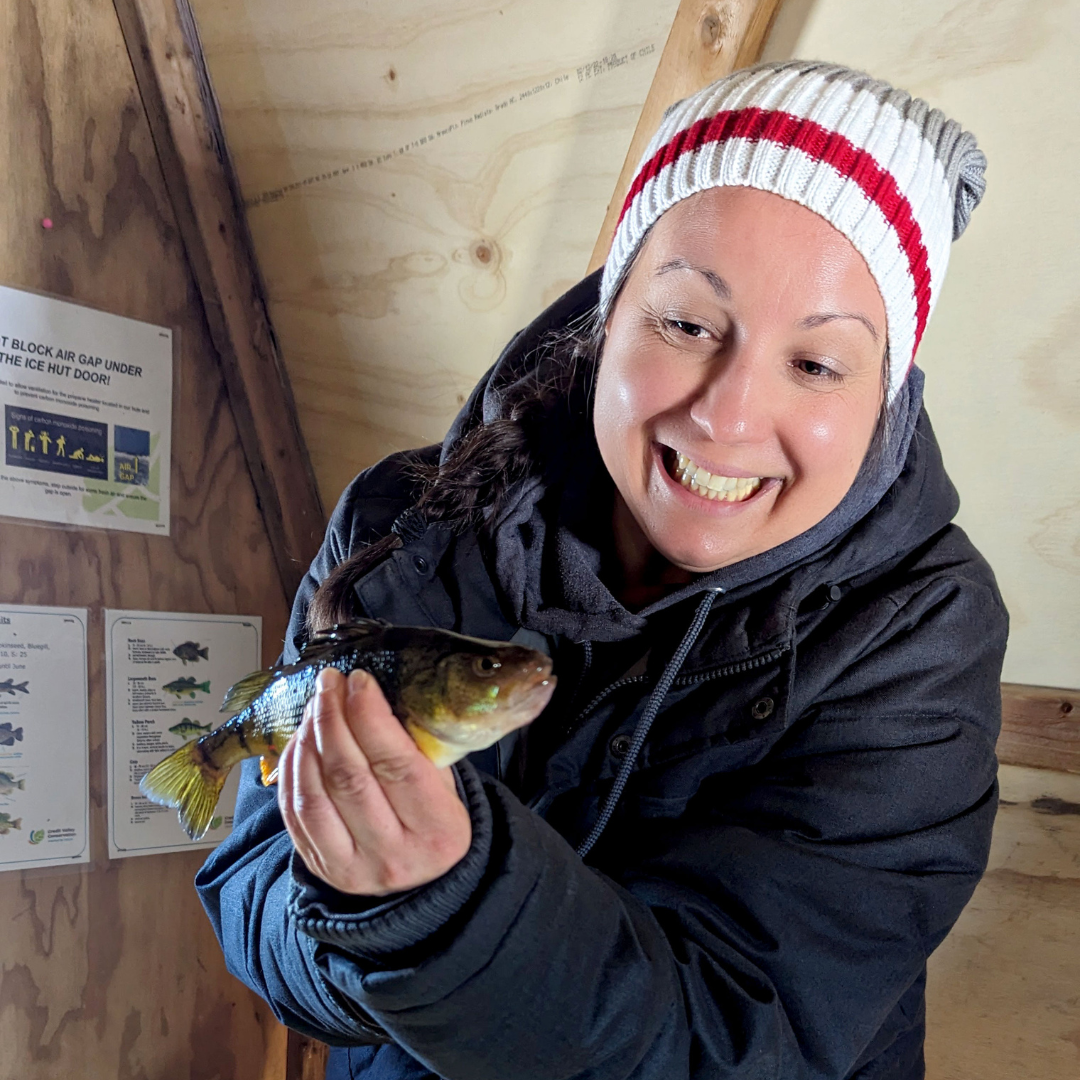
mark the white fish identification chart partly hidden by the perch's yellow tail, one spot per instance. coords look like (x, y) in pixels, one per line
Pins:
(167, 674)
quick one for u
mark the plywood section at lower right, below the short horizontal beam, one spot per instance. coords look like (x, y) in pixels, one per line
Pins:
(1002, 997)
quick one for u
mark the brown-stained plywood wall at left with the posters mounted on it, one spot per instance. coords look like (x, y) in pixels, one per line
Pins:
(113, 970)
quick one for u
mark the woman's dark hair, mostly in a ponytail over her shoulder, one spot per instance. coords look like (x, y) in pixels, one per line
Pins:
(470, 488)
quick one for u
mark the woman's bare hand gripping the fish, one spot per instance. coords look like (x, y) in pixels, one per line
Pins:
(367, 811)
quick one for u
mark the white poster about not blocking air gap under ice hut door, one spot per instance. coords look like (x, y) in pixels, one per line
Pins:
(88, 409)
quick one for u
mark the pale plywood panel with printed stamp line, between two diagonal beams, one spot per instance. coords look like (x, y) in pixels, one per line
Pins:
(423, 179)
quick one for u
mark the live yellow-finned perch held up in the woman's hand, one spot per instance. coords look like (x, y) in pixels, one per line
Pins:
(454, 696)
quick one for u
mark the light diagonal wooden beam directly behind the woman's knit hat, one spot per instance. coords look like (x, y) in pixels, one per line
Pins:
(709, 39)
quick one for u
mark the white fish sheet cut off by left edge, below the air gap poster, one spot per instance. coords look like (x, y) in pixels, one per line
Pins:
(45, 738)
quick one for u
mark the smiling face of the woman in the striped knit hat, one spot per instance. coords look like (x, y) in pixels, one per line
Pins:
(741, 376)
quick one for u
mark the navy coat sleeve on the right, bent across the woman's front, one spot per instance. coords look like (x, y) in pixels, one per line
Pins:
(768, 933)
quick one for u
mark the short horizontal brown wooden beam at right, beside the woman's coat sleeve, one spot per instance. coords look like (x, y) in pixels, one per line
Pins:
(1041, 727)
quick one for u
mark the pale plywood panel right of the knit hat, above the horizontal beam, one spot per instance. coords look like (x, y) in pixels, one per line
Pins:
(1003, 353)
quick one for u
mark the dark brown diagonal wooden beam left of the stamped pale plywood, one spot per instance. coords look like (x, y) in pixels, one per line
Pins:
(165, 49)
